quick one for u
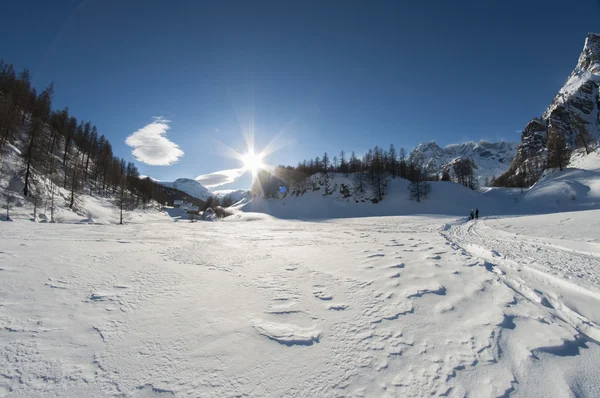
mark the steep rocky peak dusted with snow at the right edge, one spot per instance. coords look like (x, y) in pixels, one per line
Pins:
(575, 106)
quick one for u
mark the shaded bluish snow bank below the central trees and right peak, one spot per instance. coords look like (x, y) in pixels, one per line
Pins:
(573, 189)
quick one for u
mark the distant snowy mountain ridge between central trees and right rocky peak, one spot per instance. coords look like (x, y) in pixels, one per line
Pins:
(492, 158)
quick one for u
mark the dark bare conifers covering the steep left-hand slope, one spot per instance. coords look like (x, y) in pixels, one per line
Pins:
(59, 148)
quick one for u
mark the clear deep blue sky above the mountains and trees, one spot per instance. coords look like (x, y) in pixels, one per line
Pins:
(322, 75)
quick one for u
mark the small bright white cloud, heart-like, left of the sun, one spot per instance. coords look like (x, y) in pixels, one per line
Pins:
(150, 146)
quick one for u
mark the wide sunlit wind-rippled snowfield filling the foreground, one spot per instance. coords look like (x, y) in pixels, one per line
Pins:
(392, 306)
